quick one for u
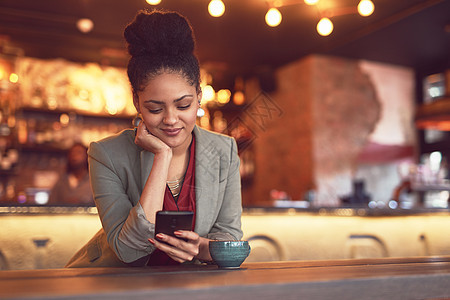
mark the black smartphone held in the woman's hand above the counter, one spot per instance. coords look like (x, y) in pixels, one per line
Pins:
(168, 222)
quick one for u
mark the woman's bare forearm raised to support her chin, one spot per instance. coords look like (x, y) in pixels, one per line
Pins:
(152, 196)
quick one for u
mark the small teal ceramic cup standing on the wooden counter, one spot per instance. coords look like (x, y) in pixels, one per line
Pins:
(229, 254)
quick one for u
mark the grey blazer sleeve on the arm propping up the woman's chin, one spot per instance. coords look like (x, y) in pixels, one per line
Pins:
(125, 224)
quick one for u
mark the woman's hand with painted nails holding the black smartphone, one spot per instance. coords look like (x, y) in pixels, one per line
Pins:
(180, 250)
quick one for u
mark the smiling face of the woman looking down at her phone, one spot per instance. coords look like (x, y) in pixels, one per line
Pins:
(168, 105)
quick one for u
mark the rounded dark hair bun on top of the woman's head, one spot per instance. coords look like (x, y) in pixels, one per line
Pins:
(159, 33)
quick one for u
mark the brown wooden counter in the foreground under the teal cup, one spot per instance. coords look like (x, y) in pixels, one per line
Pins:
(386, 278)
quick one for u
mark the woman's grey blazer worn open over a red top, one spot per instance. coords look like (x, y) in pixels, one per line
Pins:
(119, 169)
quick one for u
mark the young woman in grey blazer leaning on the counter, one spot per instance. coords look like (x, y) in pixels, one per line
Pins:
(166, 163)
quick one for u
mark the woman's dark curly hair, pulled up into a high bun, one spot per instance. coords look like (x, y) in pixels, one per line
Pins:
(160, 41)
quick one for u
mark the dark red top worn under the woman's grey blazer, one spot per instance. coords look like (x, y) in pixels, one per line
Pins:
(185, 202)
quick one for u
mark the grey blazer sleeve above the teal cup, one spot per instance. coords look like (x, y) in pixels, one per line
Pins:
(228, 223)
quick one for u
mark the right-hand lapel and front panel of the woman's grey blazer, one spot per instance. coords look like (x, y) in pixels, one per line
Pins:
(207, 168)
